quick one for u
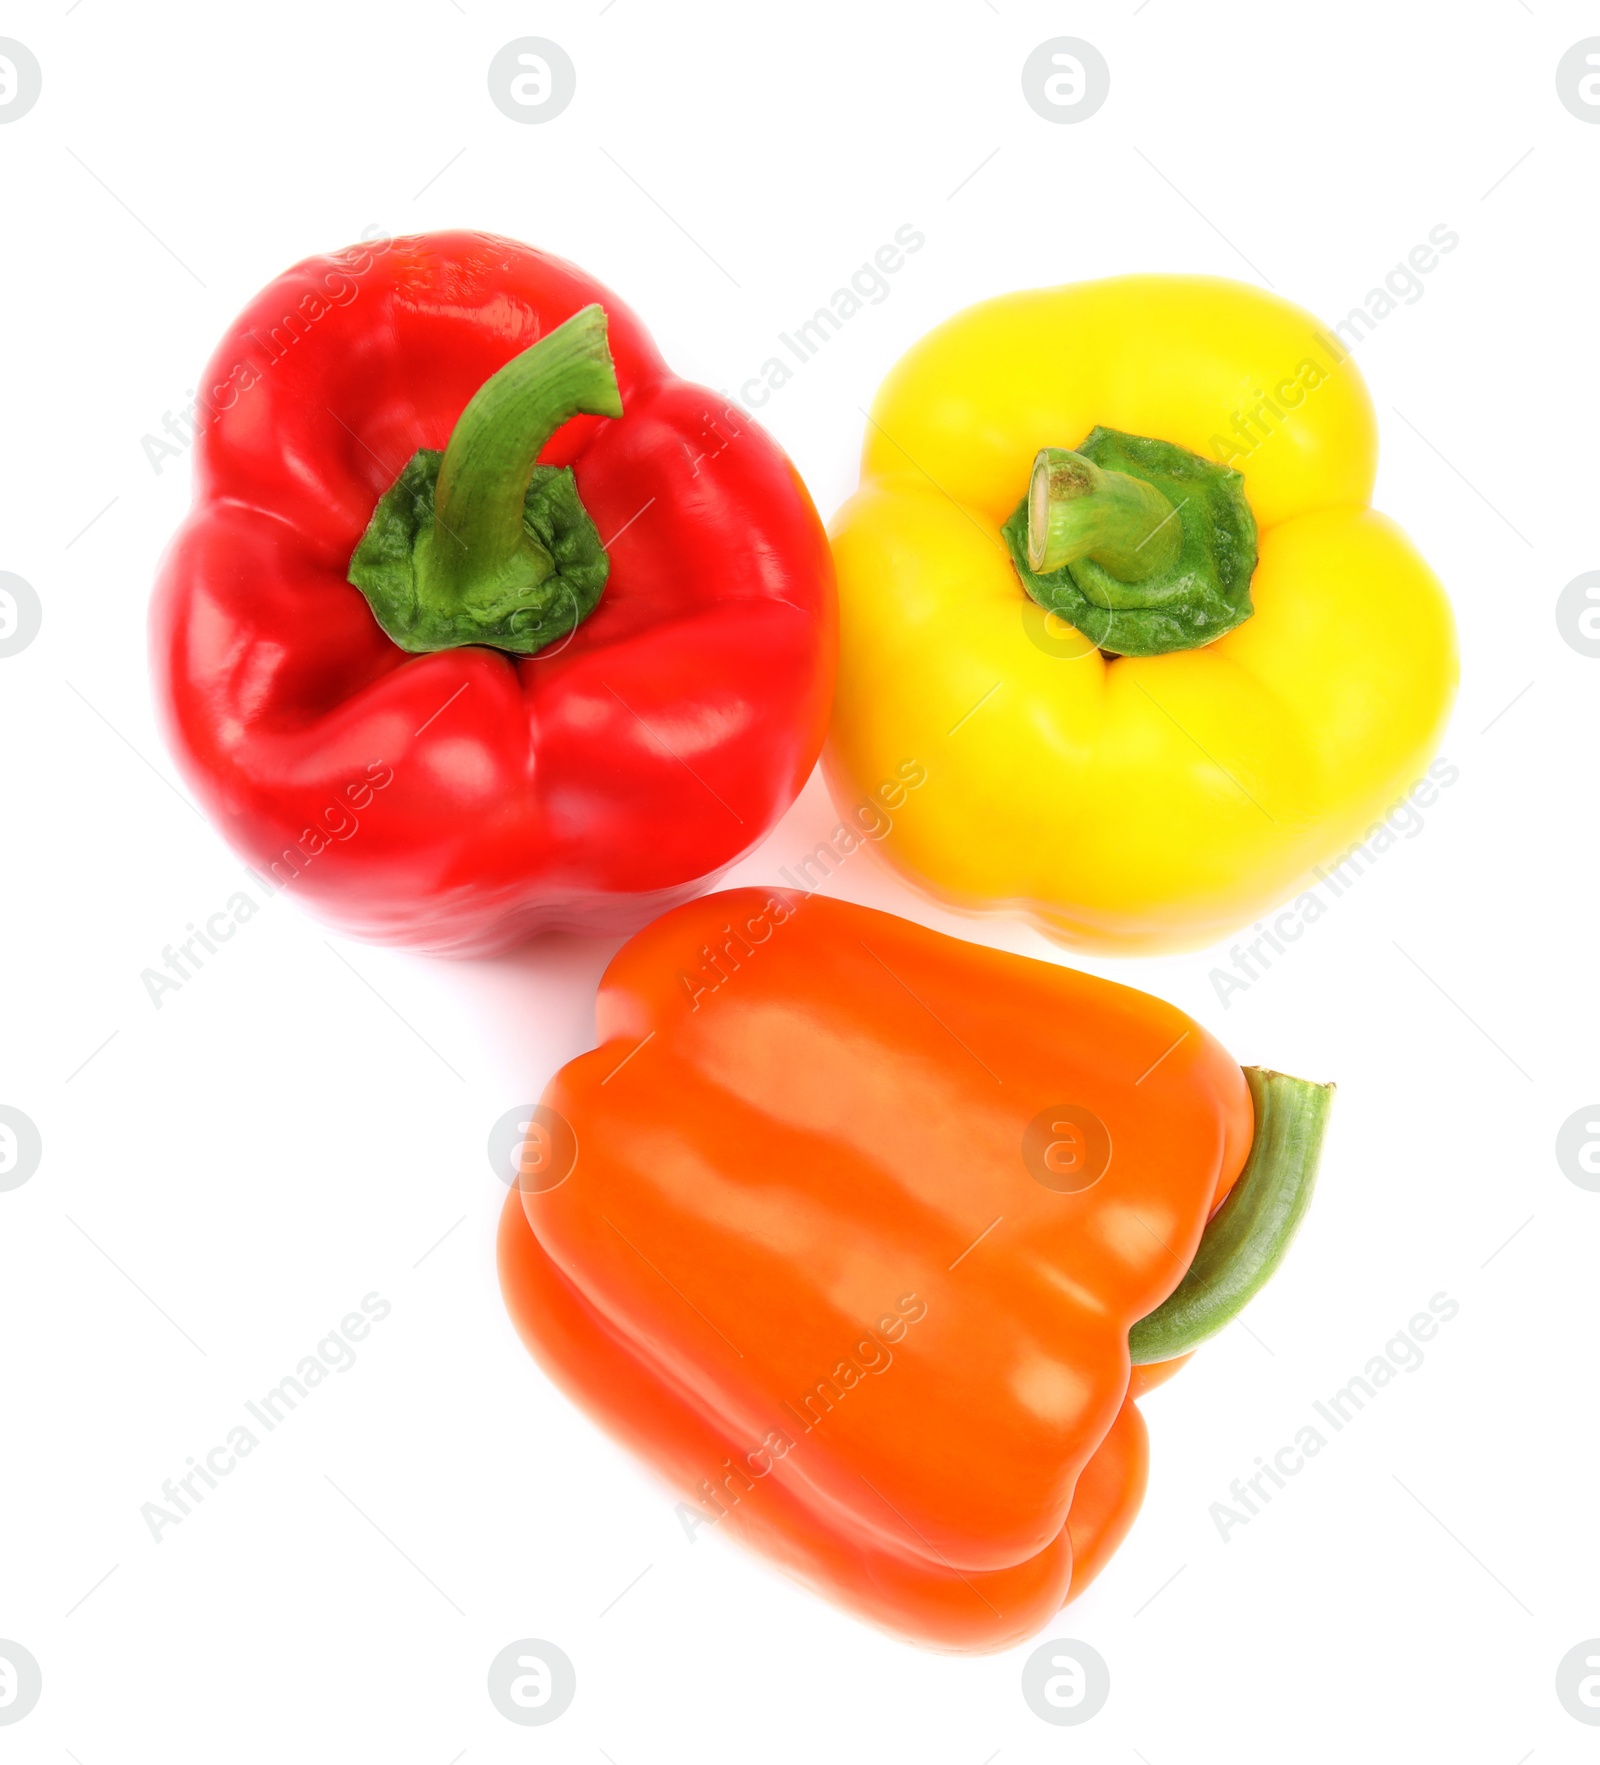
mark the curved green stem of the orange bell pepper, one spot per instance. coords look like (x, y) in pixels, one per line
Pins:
(1248, 1236)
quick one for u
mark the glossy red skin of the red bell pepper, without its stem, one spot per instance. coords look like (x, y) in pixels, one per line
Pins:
(468, 799)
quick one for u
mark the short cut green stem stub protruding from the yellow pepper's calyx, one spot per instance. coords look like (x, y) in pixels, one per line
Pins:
(1077, 511)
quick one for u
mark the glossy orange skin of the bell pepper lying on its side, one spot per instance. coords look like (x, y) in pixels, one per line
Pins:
(779, 1235)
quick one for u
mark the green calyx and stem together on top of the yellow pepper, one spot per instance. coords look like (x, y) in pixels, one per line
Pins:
(1140, 545)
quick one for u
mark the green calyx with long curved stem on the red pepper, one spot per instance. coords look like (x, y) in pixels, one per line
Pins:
(481, 545)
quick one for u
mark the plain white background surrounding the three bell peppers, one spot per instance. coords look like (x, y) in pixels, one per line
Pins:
(306, 1122)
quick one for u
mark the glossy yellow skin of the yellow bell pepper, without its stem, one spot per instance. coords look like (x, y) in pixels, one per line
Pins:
(1130, 802)
